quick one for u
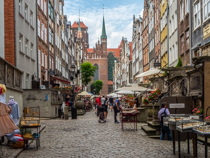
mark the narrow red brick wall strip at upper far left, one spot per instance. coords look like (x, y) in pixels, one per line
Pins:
(9, 31)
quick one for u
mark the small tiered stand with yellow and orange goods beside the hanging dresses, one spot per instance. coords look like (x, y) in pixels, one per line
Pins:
(31, 120)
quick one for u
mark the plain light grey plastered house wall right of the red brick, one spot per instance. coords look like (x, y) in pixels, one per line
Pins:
(26, 50)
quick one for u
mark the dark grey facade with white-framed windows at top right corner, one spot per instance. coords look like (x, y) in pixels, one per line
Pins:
(200, 37)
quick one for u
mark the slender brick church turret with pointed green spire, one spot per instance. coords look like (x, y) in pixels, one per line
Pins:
(104, 40)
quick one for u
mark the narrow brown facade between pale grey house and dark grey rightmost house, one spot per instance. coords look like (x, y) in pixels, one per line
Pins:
(184, 32)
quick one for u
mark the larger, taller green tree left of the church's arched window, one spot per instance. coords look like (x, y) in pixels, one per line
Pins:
(87, 70)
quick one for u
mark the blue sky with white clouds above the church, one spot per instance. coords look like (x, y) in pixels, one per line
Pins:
(118, 16)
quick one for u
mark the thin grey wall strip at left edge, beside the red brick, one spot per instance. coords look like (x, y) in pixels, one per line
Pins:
(2, 29)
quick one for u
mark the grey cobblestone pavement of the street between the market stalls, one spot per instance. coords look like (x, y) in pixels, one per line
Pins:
(85, 137)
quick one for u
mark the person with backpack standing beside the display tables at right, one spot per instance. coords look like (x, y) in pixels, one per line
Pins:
(164, 112)
